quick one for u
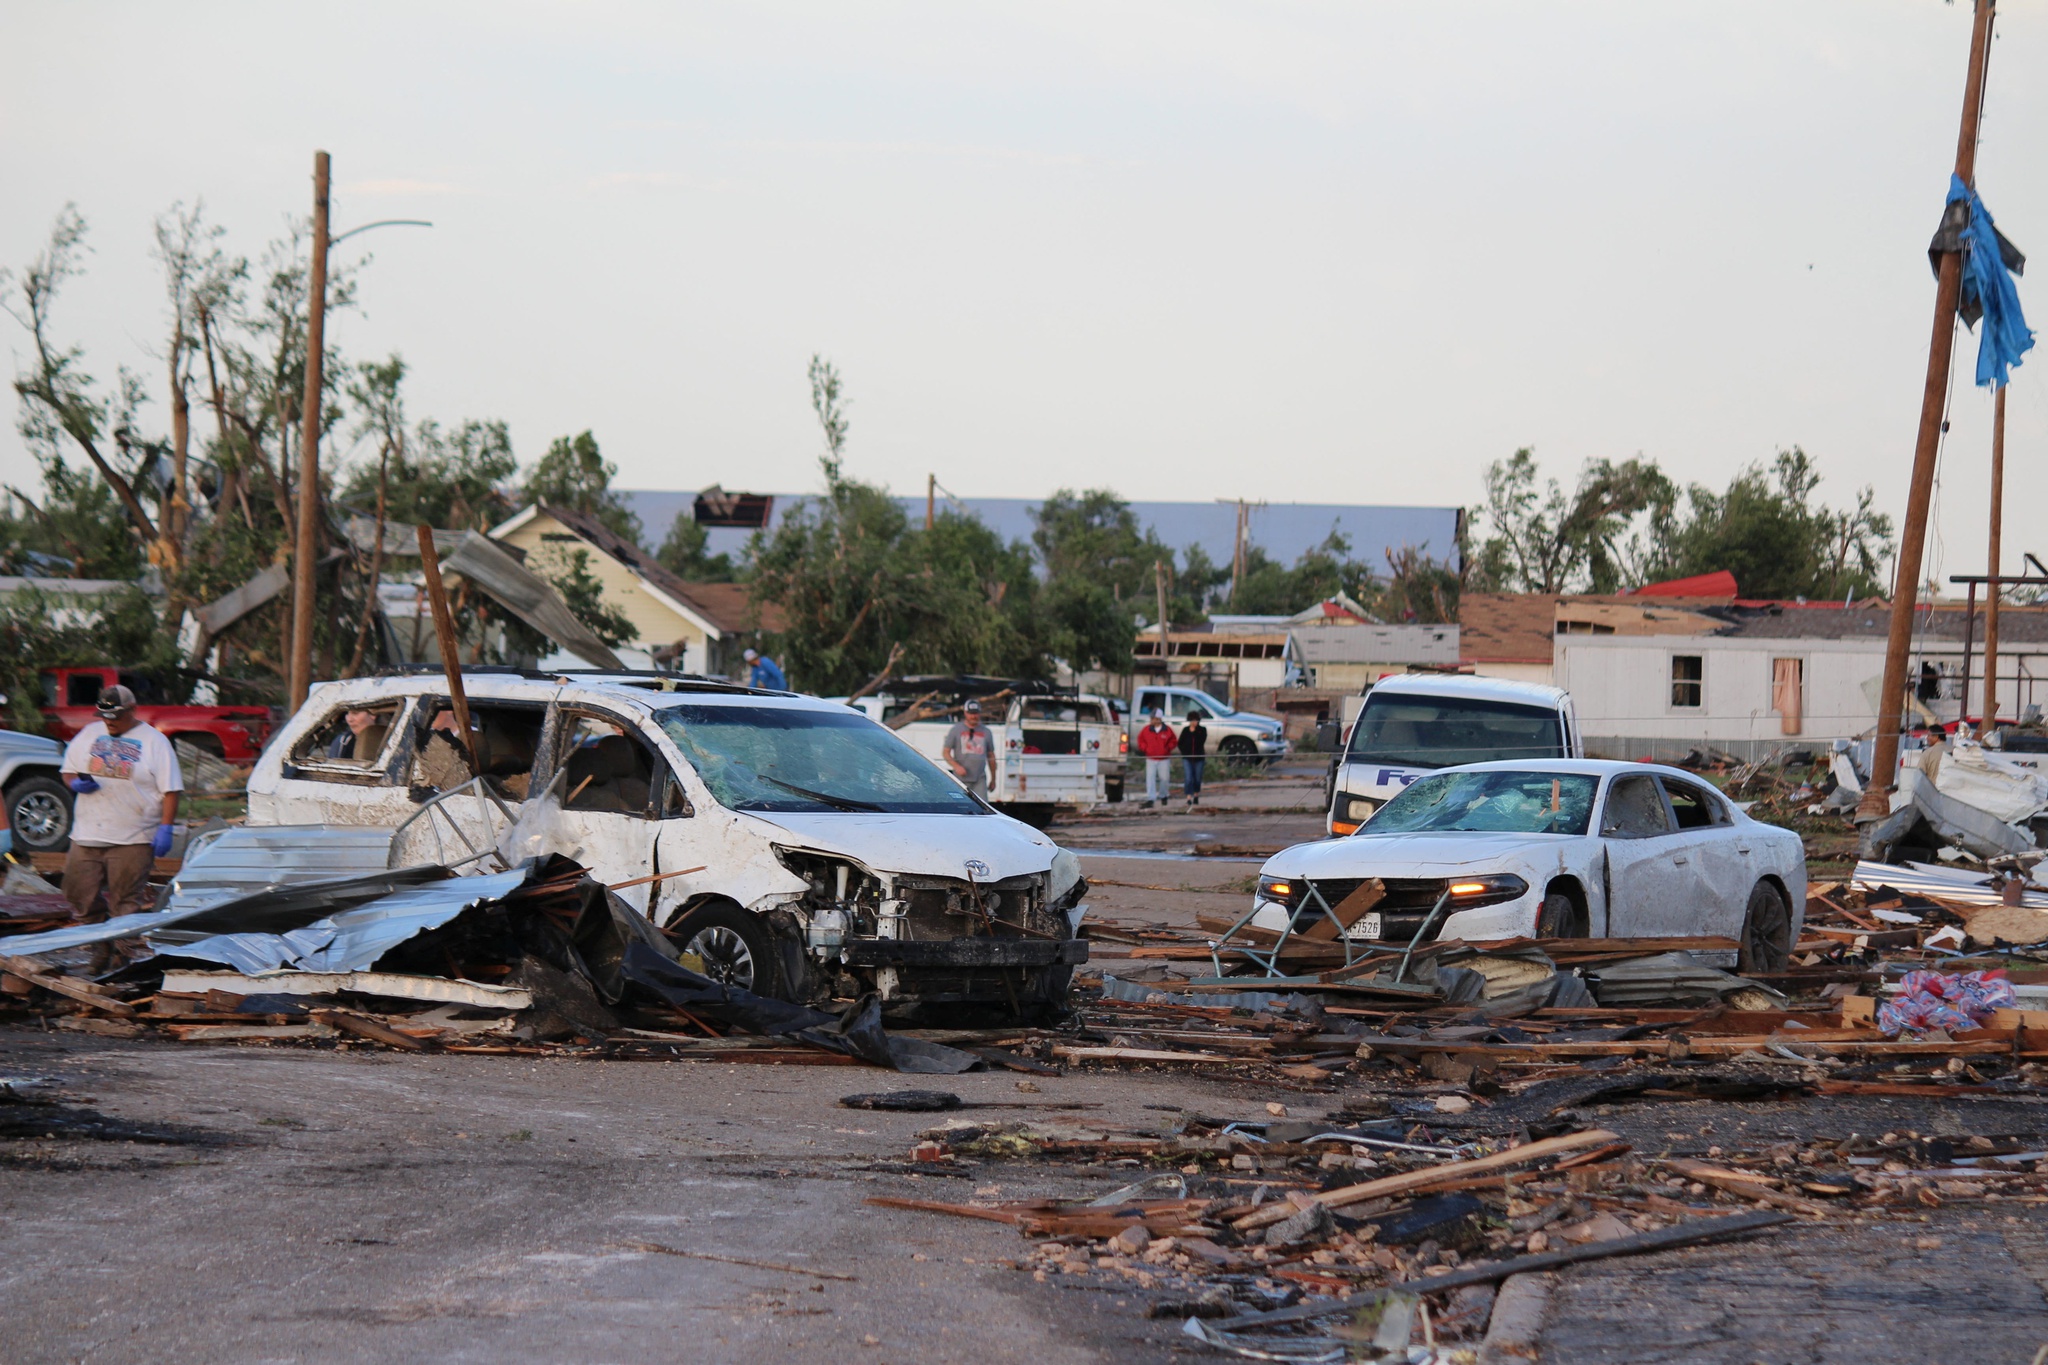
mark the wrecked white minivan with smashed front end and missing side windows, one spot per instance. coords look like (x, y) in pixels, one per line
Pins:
(792, 844)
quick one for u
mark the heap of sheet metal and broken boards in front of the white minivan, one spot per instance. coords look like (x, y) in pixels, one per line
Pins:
(540, 959)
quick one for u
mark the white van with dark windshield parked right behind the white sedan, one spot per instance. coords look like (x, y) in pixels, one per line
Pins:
(1416, 723)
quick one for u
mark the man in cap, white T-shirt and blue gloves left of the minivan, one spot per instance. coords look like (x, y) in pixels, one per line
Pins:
(128, 783)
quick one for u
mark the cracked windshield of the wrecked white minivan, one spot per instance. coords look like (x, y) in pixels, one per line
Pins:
(781, 758)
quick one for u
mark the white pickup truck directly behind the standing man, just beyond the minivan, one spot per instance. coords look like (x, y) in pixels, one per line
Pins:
(1058, 748)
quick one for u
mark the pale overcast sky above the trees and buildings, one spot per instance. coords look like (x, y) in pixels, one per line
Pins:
(1306, 253)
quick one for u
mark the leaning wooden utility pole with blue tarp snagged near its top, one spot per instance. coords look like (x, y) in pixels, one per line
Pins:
(1914, 535)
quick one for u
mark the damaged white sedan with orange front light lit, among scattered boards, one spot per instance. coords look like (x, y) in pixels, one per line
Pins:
(1560, 848)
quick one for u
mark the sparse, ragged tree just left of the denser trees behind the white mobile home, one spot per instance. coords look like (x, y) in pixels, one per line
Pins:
(1545, 539)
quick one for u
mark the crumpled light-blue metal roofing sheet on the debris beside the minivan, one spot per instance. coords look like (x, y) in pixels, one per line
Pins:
(353, 940)
